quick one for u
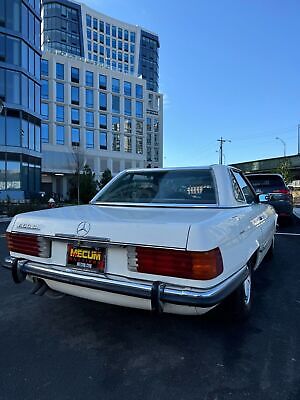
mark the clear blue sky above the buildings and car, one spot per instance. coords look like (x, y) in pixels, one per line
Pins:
(228, 68)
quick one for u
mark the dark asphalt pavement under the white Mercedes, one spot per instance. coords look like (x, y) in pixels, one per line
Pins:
(77, 349)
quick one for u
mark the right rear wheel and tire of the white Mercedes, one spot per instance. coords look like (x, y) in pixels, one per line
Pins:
(238, 304)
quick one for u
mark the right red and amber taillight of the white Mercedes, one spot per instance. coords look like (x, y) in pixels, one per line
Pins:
(181, 264)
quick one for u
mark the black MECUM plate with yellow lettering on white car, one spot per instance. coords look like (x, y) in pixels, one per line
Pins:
(86, 258)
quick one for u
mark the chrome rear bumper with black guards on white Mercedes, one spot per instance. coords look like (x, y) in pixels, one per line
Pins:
(157, 292)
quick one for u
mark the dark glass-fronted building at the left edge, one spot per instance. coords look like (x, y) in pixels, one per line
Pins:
(20, 123)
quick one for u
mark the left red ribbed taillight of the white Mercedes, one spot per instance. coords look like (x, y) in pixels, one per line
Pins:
(32, 245)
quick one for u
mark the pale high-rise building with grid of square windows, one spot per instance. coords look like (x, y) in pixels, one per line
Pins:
(99, 91)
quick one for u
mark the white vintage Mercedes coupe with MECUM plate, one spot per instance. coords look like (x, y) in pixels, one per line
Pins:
(175, 240)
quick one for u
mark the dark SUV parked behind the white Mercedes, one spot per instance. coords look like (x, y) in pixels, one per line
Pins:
(276, 191)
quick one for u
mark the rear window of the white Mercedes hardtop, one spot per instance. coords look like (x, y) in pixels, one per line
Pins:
(178, 187)
